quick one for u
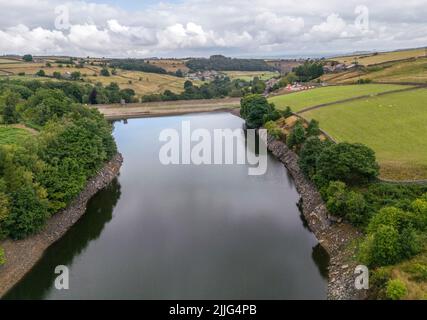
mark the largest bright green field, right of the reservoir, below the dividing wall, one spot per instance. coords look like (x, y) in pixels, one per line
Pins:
(393, 125)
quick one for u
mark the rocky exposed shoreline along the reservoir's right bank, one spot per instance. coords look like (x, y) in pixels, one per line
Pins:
(335, 237)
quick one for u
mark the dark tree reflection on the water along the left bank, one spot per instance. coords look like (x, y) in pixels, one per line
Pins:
(37, 283)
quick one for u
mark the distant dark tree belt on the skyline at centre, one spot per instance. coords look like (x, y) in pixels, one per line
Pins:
(221, 63)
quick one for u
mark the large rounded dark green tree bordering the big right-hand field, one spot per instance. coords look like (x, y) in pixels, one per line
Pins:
(350, 163)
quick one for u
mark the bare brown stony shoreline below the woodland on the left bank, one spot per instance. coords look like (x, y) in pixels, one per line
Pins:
(22, 255)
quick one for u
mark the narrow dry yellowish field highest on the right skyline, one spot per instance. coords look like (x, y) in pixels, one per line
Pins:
(370, 59)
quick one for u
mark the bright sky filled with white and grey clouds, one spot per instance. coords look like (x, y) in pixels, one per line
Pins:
(180, 28)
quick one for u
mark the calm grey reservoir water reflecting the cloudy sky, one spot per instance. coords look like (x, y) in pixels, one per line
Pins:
(186, 231)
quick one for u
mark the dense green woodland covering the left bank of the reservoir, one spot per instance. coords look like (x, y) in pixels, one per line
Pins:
(43, 174)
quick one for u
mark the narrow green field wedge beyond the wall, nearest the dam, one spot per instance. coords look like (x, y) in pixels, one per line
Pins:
(303, 99)
